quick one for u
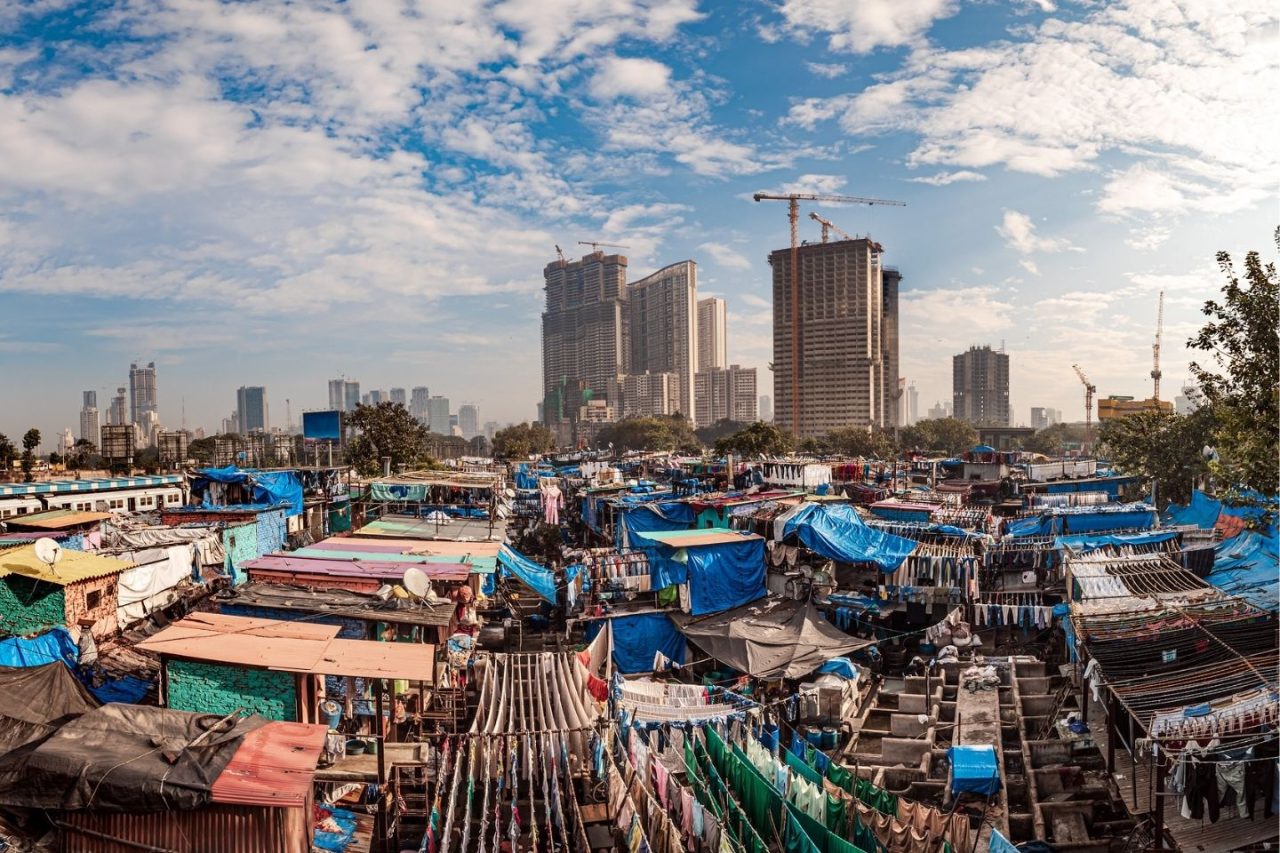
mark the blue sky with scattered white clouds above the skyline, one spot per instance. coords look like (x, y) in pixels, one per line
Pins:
(282, 193)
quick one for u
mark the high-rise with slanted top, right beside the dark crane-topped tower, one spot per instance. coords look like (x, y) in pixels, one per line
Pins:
(662, 325)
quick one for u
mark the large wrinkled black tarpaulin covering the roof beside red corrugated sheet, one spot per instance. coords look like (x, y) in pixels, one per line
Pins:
(125, 758)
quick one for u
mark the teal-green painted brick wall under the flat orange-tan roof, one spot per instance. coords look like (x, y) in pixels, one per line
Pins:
(209, 688)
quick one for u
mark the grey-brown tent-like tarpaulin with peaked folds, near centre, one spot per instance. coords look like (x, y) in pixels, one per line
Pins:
(770, 638)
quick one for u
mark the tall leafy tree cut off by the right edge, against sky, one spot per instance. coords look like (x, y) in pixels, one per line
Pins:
(1244, 384)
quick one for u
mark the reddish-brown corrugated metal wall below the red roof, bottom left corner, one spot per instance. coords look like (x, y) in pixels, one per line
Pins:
(214, 829)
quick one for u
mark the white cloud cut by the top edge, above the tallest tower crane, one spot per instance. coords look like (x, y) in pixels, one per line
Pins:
(862, 26)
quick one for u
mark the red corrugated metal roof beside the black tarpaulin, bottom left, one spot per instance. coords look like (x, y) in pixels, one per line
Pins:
(275, 767)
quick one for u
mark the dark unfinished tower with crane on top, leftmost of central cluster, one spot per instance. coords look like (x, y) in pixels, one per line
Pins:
(584, 331)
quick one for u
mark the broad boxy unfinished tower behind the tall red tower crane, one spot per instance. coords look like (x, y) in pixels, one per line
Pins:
(828, 339)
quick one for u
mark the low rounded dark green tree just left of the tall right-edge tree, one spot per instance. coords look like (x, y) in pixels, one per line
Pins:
(1162, 448)
